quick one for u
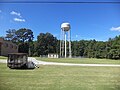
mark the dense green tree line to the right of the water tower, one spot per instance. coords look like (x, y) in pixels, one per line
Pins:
(97, 49)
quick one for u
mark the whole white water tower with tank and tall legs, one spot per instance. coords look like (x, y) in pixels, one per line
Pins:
(64, 37)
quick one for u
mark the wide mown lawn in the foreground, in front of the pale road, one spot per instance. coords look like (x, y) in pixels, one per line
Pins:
(60, 78)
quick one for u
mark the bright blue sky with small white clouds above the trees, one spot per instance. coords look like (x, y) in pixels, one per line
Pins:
(99, 21)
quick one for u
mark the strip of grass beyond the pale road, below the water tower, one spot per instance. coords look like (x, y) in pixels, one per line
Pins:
(80, 60)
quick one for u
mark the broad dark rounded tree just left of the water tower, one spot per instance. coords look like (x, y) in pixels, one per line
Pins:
(46, 43)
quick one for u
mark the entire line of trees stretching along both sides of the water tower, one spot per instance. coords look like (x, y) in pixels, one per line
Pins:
(47, 43)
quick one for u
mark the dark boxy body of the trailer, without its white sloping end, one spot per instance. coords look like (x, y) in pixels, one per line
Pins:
(17, 60)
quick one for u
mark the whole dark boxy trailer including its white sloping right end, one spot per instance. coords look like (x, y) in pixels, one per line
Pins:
(20, 61)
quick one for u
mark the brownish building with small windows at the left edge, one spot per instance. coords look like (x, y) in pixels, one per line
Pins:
(7, 47)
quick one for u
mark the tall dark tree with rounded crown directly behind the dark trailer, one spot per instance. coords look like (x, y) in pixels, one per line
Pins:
(22, 37)
